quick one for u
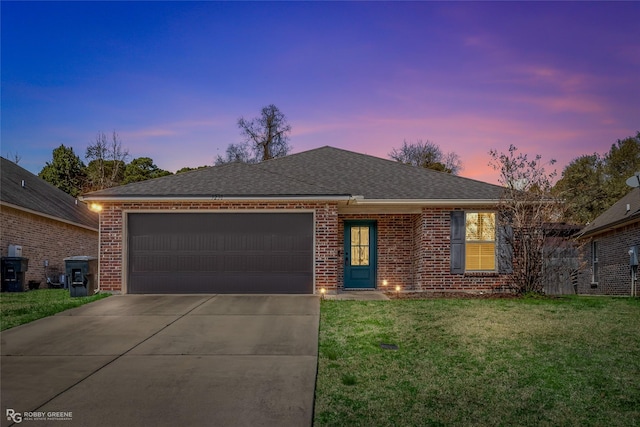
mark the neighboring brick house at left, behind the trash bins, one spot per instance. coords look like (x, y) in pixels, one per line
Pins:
(49, 224)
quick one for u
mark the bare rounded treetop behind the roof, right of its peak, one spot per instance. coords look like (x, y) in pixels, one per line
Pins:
(427, 154)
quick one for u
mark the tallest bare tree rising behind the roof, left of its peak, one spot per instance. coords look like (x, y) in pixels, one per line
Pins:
(265, 137)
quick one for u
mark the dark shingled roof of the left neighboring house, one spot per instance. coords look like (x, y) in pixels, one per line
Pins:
(40, 197)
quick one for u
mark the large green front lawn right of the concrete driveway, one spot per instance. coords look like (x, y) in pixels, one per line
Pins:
(571, 361)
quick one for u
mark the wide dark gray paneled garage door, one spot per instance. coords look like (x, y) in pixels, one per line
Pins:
(220, 253)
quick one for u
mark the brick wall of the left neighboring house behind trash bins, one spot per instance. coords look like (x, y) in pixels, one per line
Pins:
(44, 239)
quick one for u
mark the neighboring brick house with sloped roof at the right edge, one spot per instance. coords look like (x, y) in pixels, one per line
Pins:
(606, 244)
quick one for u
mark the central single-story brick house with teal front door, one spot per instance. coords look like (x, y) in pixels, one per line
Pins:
(324, 218)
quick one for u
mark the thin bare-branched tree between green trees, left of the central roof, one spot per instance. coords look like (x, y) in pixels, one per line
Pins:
(107, 160)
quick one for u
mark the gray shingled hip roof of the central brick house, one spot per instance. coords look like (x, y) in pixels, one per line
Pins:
(325, 171)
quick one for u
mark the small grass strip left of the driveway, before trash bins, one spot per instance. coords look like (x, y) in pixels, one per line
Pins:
(17, 308)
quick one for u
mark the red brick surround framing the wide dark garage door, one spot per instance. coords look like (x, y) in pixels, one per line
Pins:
(112, 231)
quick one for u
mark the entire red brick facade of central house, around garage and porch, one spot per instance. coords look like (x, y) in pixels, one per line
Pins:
(413, 249)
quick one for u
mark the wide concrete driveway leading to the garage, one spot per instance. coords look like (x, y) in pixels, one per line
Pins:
(138, 360)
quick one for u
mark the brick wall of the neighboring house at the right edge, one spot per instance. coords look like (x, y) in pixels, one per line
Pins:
(613, 257)
